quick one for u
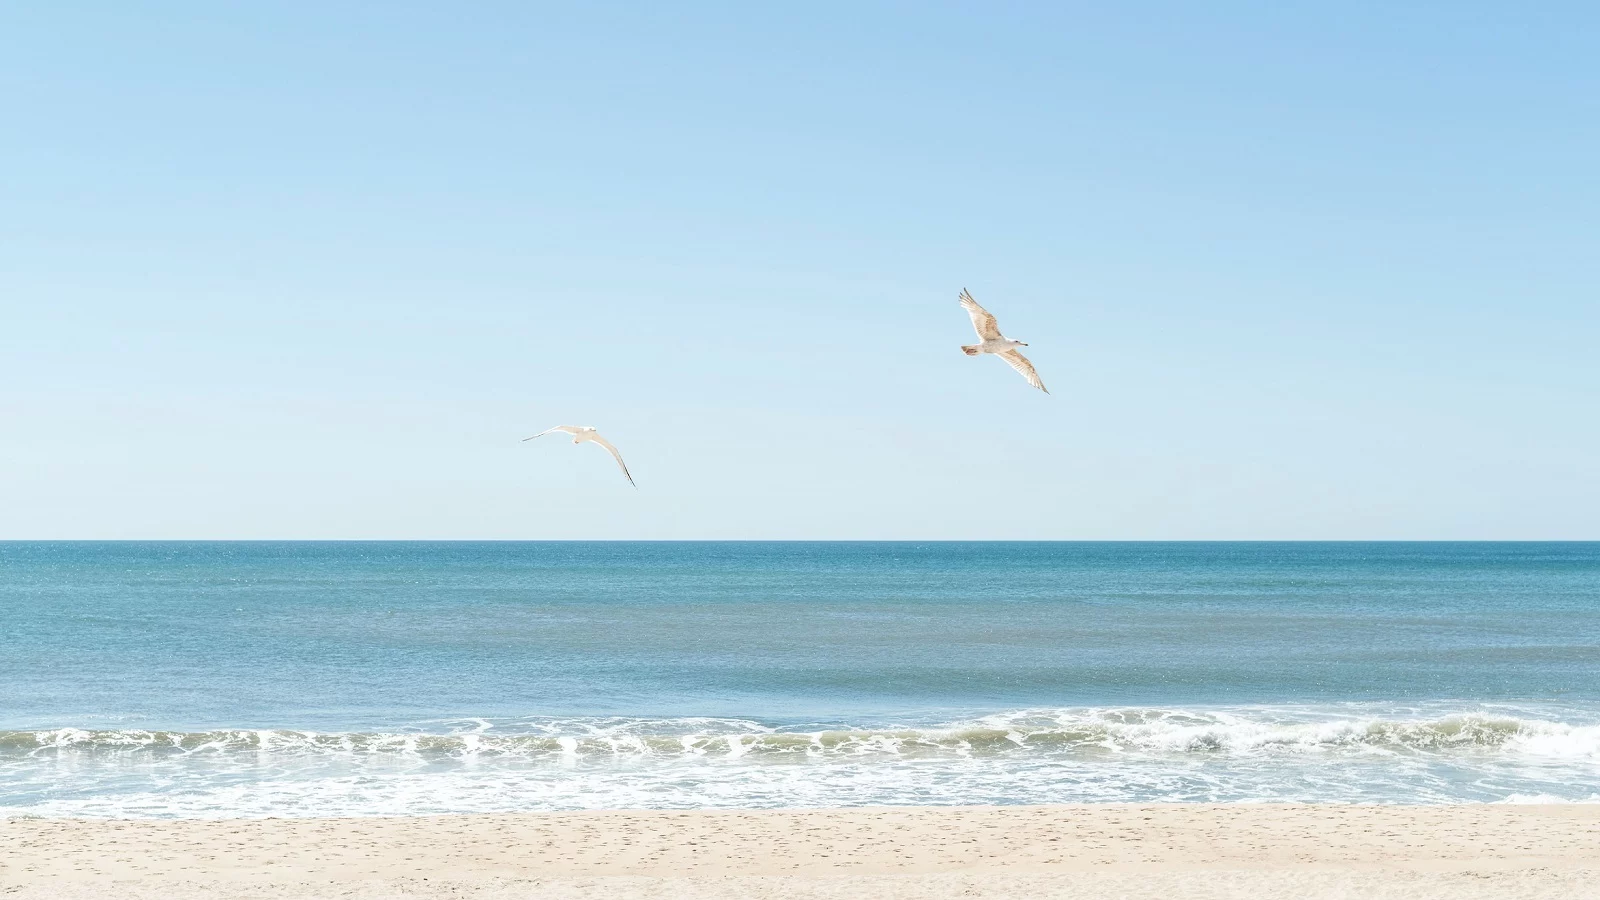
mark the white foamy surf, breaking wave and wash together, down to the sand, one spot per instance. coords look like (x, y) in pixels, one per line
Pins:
(1087, 755)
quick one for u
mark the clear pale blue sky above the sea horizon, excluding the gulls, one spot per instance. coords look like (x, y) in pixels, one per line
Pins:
(1292, 271)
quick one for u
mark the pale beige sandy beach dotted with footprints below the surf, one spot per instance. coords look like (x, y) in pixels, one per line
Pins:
(1089, 851)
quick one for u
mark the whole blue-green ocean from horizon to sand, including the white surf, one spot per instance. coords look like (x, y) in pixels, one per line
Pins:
(310, 680)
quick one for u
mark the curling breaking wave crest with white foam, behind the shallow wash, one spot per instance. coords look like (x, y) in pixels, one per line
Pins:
(1070, 733)
